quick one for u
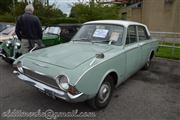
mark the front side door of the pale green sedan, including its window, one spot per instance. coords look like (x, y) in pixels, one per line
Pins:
(132, 50)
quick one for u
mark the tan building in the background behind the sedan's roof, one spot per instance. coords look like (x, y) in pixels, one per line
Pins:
(158, 15)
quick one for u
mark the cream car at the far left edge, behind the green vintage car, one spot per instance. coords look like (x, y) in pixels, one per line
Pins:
(8, 33)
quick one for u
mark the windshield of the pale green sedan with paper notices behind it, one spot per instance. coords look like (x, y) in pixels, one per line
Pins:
(100, 33)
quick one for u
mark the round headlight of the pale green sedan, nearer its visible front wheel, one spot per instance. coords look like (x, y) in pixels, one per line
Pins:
(63, 82)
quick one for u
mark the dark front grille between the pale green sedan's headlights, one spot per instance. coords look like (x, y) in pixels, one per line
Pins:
(41, 78)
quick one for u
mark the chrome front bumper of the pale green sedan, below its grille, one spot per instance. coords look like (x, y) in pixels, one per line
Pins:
(50, 91)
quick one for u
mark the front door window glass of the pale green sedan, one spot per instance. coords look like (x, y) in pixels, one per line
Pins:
(131, 35)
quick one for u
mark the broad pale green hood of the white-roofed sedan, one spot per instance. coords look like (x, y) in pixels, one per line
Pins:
(69, 55)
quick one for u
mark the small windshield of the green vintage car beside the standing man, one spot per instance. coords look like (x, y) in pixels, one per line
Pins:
(52, 30)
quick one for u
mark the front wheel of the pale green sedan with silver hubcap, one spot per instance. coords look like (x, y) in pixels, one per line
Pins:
(101, 100)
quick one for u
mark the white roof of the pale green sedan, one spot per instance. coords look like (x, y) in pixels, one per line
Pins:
(119, 22)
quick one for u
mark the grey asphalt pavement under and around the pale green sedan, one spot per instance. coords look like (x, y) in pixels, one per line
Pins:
(148, 95)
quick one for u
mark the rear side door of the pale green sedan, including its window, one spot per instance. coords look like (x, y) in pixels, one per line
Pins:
(144, 43)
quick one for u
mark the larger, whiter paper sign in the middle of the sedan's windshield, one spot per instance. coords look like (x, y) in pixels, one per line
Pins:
(101, 33)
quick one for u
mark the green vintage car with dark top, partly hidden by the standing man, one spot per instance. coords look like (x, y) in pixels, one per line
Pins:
(10, 49)
